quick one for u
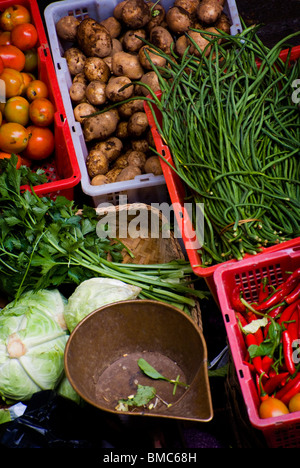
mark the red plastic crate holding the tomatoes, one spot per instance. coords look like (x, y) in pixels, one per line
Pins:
(61, 168)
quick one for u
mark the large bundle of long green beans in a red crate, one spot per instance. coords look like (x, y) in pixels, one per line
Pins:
(233, 130)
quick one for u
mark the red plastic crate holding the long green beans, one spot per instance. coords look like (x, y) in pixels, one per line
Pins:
(177, 195)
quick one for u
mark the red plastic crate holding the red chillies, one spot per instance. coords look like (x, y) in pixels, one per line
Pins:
(281, 431)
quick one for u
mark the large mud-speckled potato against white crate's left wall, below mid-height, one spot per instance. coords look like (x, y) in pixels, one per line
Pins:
(100, 126)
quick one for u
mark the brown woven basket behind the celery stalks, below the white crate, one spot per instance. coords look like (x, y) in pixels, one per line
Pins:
(162, 248)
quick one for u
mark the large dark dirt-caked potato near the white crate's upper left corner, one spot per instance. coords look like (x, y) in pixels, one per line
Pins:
(93, 38)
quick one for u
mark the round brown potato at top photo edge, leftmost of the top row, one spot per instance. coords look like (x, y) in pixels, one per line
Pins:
(135, 14)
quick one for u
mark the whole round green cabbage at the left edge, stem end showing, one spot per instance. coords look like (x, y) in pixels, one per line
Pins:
(33, 336)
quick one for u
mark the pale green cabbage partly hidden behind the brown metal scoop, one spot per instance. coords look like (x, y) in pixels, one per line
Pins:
(94, 293)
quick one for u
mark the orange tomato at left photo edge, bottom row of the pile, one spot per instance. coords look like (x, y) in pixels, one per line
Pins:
(13, 138)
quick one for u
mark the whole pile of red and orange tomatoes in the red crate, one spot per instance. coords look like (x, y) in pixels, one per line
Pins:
(27, 115)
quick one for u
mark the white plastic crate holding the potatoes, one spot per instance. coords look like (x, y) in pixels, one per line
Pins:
(144, 188)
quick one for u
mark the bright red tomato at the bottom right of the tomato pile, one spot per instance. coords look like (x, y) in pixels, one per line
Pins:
(40, 143)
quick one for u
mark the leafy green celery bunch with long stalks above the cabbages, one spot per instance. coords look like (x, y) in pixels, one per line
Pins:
(44, 244)
